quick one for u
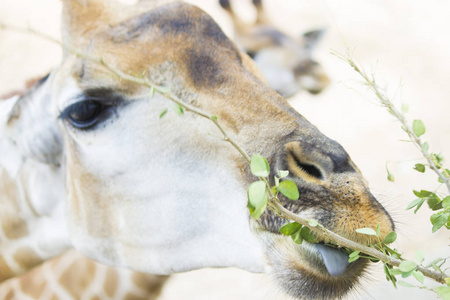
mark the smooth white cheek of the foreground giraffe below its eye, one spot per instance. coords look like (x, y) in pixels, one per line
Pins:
(150, 176)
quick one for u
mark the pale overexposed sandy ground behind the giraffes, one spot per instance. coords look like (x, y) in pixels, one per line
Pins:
(404, 43)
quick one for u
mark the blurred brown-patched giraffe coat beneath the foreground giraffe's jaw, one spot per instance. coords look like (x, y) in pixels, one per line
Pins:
(72, 276)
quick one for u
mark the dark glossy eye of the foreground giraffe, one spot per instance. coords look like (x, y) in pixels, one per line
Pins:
(84, 114)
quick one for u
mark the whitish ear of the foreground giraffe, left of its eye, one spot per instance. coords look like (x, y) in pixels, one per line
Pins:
(29, 122)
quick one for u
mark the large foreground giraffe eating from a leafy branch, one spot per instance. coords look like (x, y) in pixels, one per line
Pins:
(161, 195)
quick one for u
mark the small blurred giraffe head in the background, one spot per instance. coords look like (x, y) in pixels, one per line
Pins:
(286, 62)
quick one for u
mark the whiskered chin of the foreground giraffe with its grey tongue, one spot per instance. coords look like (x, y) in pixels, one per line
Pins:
(311, 271)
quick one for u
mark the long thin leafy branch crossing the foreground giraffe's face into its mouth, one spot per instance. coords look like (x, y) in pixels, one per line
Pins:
(260, 193)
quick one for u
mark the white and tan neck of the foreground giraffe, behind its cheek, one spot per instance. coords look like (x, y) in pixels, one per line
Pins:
(32, 226)
